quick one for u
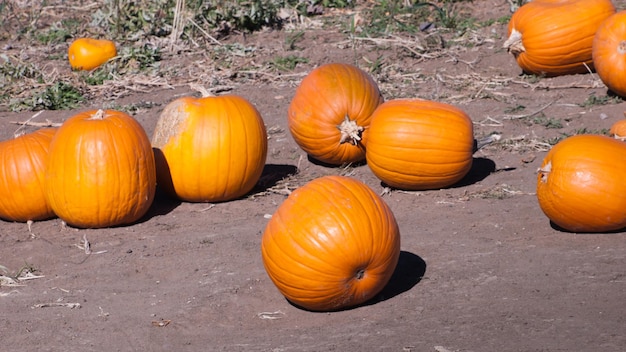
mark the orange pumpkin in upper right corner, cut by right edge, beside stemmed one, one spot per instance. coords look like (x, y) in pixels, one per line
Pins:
(609, 52)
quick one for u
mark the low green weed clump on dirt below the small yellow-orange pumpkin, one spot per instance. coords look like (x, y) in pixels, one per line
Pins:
(59, 96)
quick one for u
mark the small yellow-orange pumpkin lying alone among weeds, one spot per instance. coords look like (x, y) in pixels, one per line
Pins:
(89, 53)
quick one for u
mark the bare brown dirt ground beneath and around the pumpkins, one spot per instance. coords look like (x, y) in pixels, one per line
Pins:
(481, 267)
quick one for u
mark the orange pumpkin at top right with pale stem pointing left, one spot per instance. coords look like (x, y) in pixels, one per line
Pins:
(554, 37)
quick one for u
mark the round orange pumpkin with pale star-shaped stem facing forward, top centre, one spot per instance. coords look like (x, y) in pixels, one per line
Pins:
(330, 112)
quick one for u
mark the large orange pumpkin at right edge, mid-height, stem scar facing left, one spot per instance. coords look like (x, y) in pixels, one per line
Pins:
(580, 185)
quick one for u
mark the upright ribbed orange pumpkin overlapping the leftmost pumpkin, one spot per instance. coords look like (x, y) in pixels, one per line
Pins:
(101, 170)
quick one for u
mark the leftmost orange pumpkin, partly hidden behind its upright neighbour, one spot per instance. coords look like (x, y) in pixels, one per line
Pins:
(22, 165)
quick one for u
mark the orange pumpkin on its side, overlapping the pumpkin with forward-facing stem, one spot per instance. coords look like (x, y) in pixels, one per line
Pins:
(419, 144)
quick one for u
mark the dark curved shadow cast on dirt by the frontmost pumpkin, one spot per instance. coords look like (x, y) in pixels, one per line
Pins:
(408, 272)
